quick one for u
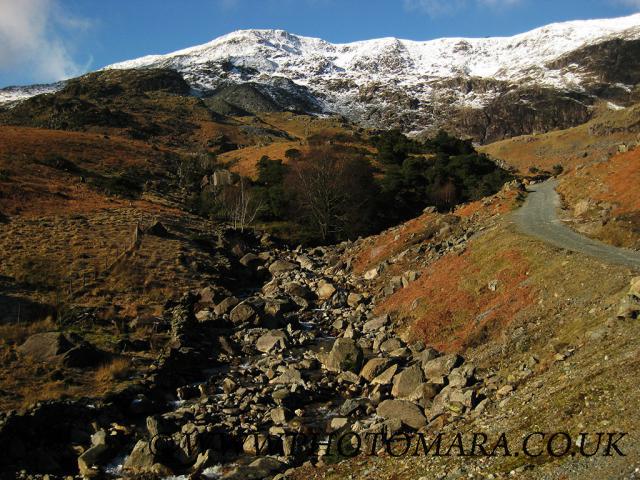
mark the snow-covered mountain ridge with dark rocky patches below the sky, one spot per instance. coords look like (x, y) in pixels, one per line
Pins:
(546, 78)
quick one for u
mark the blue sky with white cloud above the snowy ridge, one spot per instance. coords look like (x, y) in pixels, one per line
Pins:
(47, 40)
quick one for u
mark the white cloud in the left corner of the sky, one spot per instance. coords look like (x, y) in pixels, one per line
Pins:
(31, 39)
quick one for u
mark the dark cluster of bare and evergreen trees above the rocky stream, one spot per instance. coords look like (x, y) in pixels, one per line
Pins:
(332, 193)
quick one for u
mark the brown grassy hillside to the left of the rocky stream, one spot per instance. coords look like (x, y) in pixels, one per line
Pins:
(63, 242)
